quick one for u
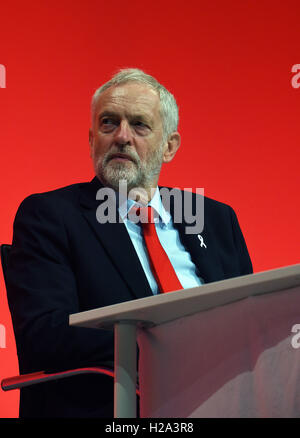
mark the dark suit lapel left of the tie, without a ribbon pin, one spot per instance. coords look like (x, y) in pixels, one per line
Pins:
(116, 242)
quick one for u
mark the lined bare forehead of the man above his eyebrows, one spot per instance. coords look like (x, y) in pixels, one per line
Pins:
(130, 98)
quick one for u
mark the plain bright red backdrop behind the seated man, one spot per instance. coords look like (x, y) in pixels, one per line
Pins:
(227, 62)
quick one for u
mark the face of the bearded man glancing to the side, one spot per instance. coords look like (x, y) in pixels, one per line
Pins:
(126, 136)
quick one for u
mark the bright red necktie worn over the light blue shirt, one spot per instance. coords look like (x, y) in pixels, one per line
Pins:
(161, 266)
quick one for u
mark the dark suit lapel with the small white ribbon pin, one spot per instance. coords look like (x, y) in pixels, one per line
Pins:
(203, 251)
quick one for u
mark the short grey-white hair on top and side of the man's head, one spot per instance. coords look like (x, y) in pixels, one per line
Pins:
(169, 108)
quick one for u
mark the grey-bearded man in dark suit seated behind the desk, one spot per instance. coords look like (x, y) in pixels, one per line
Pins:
(66, 258)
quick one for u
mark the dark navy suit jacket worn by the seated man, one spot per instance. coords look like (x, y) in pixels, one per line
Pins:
(62, 262)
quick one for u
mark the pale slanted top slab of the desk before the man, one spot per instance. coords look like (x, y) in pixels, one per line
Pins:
(166, 307)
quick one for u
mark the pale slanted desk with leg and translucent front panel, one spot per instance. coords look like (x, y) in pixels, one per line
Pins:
(224, 349)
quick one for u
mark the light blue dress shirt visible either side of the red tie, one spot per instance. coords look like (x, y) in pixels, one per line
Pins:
(169, 238)
